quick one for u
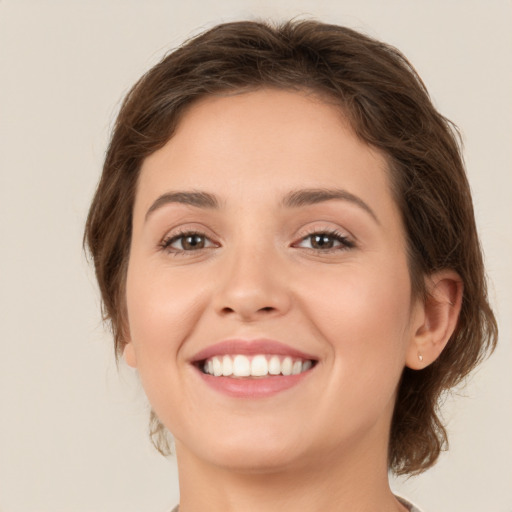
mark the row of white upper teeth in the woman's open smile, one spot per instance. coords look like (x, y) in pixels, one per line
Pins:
(259, 365)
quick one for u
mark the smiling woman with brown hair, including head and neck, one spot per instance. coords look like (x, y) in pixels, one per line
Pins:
(286, 249)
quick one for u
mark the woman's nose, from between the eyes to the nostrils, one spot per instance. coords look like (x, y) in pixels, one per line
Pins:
(252, 286)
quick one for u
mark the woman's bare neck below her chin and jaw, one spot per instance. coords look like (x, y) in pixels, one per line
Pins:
(358, 484)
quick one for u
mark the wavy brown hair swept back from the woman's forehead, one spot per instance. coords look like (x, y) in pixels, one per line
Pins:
(388, 107)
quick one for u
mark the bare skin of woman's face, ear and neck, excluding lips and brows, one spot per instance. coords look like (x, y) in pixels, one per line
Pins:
(321, 445)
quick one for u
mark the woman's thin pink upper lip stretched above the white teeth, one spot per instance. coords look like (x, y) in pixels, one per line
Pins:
(250, 347)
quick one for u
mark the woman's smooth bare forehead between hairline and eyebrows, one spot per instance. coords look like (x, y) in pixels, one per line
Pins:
(267, 141)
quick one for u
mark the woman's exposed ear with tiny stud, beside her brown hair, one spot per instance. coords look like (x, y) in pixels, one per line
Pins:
(436, 319)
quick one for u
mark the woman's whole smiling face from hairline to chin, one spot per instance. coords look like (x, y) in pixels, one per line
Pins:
(266, 241)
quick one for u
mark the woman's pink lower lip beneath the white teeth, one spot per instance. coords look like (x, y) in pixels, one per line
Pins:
(253, 387)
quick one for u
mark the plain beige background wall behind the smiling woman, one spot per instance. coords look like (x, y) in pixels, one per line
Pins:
(73, 428)
